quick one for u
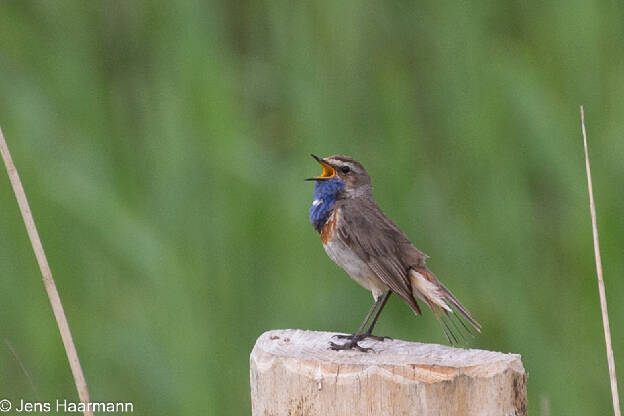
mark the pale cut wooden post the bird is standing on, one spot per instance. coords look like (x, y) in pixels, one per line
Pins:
(293, 373)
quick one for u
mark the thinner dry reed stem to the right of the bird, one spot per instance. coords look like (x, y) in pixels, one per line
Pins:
(601, 289)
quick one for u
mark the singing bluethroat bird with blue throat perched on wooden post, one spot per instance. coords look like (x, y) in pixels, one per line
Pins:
(362, 240)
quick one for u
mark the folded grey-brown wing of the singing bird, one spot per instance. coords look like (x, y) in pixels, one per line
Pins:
(381, 245)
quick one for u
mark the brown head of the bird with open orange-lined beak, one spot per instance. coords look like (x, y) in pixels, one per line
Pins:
(350, 171)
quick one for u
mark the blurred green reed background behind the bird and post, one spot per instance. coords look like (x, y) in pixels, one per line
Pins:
(163, 147)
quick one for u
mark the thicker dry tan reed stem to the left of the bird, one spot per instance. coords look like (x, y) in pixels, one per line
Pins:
(48, 280)
